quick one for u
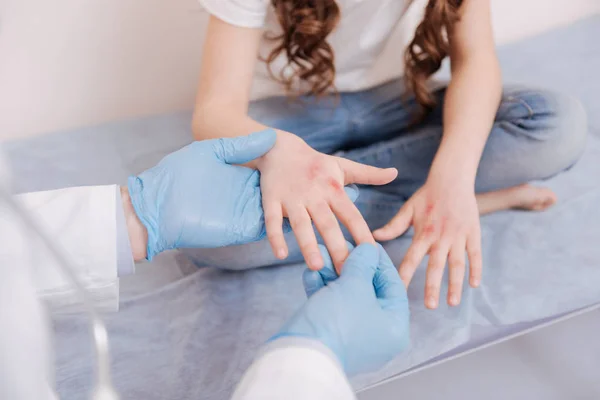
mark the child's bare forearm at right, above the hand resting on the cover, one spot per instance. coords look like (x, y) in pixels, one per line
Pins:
(474, 92)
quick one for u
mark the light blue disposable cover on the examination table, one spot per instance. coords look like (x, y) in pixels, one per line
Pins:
(185, 332)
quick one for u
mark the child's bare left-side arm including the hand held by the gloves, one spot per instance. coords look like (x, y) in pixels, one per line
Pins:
(297, 182)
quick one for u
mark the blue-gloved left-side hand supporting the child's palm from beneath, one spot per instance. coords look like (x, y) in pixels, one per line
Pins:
(196, 197)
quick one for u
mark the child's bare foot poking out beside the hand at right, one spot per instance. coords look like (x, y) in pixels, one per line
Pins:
(522, 197)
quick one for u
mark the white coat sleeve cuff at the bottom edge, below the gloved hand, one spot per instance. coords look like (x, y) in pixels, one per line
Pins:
(294, 368)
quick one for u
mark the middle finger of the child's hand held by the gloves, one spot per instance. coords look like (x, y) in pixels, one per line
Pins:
(330, 230)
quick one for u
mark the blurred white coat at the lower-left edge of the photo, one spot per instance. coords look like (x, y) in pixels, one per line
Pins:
(25, 344)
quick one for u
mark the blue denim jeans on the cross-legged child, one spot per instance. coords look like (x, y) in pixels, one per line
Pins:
(536, 134)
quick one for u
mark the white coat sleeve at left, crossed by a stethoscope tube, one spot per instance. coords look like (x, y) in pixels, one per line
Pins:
(87, 223)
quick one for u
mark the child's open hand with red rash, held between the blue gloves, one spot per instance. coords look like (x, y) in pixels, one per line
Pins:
(302, 184)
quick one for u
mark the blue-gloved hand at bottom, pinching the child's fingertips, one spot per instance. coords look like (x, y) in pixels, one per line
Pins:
(362, 316)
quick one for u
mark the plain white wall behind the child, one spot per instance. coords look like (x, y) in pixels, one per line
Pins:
(70, 63)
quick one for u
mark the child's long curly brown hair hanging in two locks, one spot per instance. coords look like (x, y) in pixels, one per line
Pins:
(306, 24)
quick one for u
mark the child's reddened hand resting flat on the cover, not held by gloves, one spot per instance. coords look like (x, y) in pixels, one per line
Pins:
(445, 217)
